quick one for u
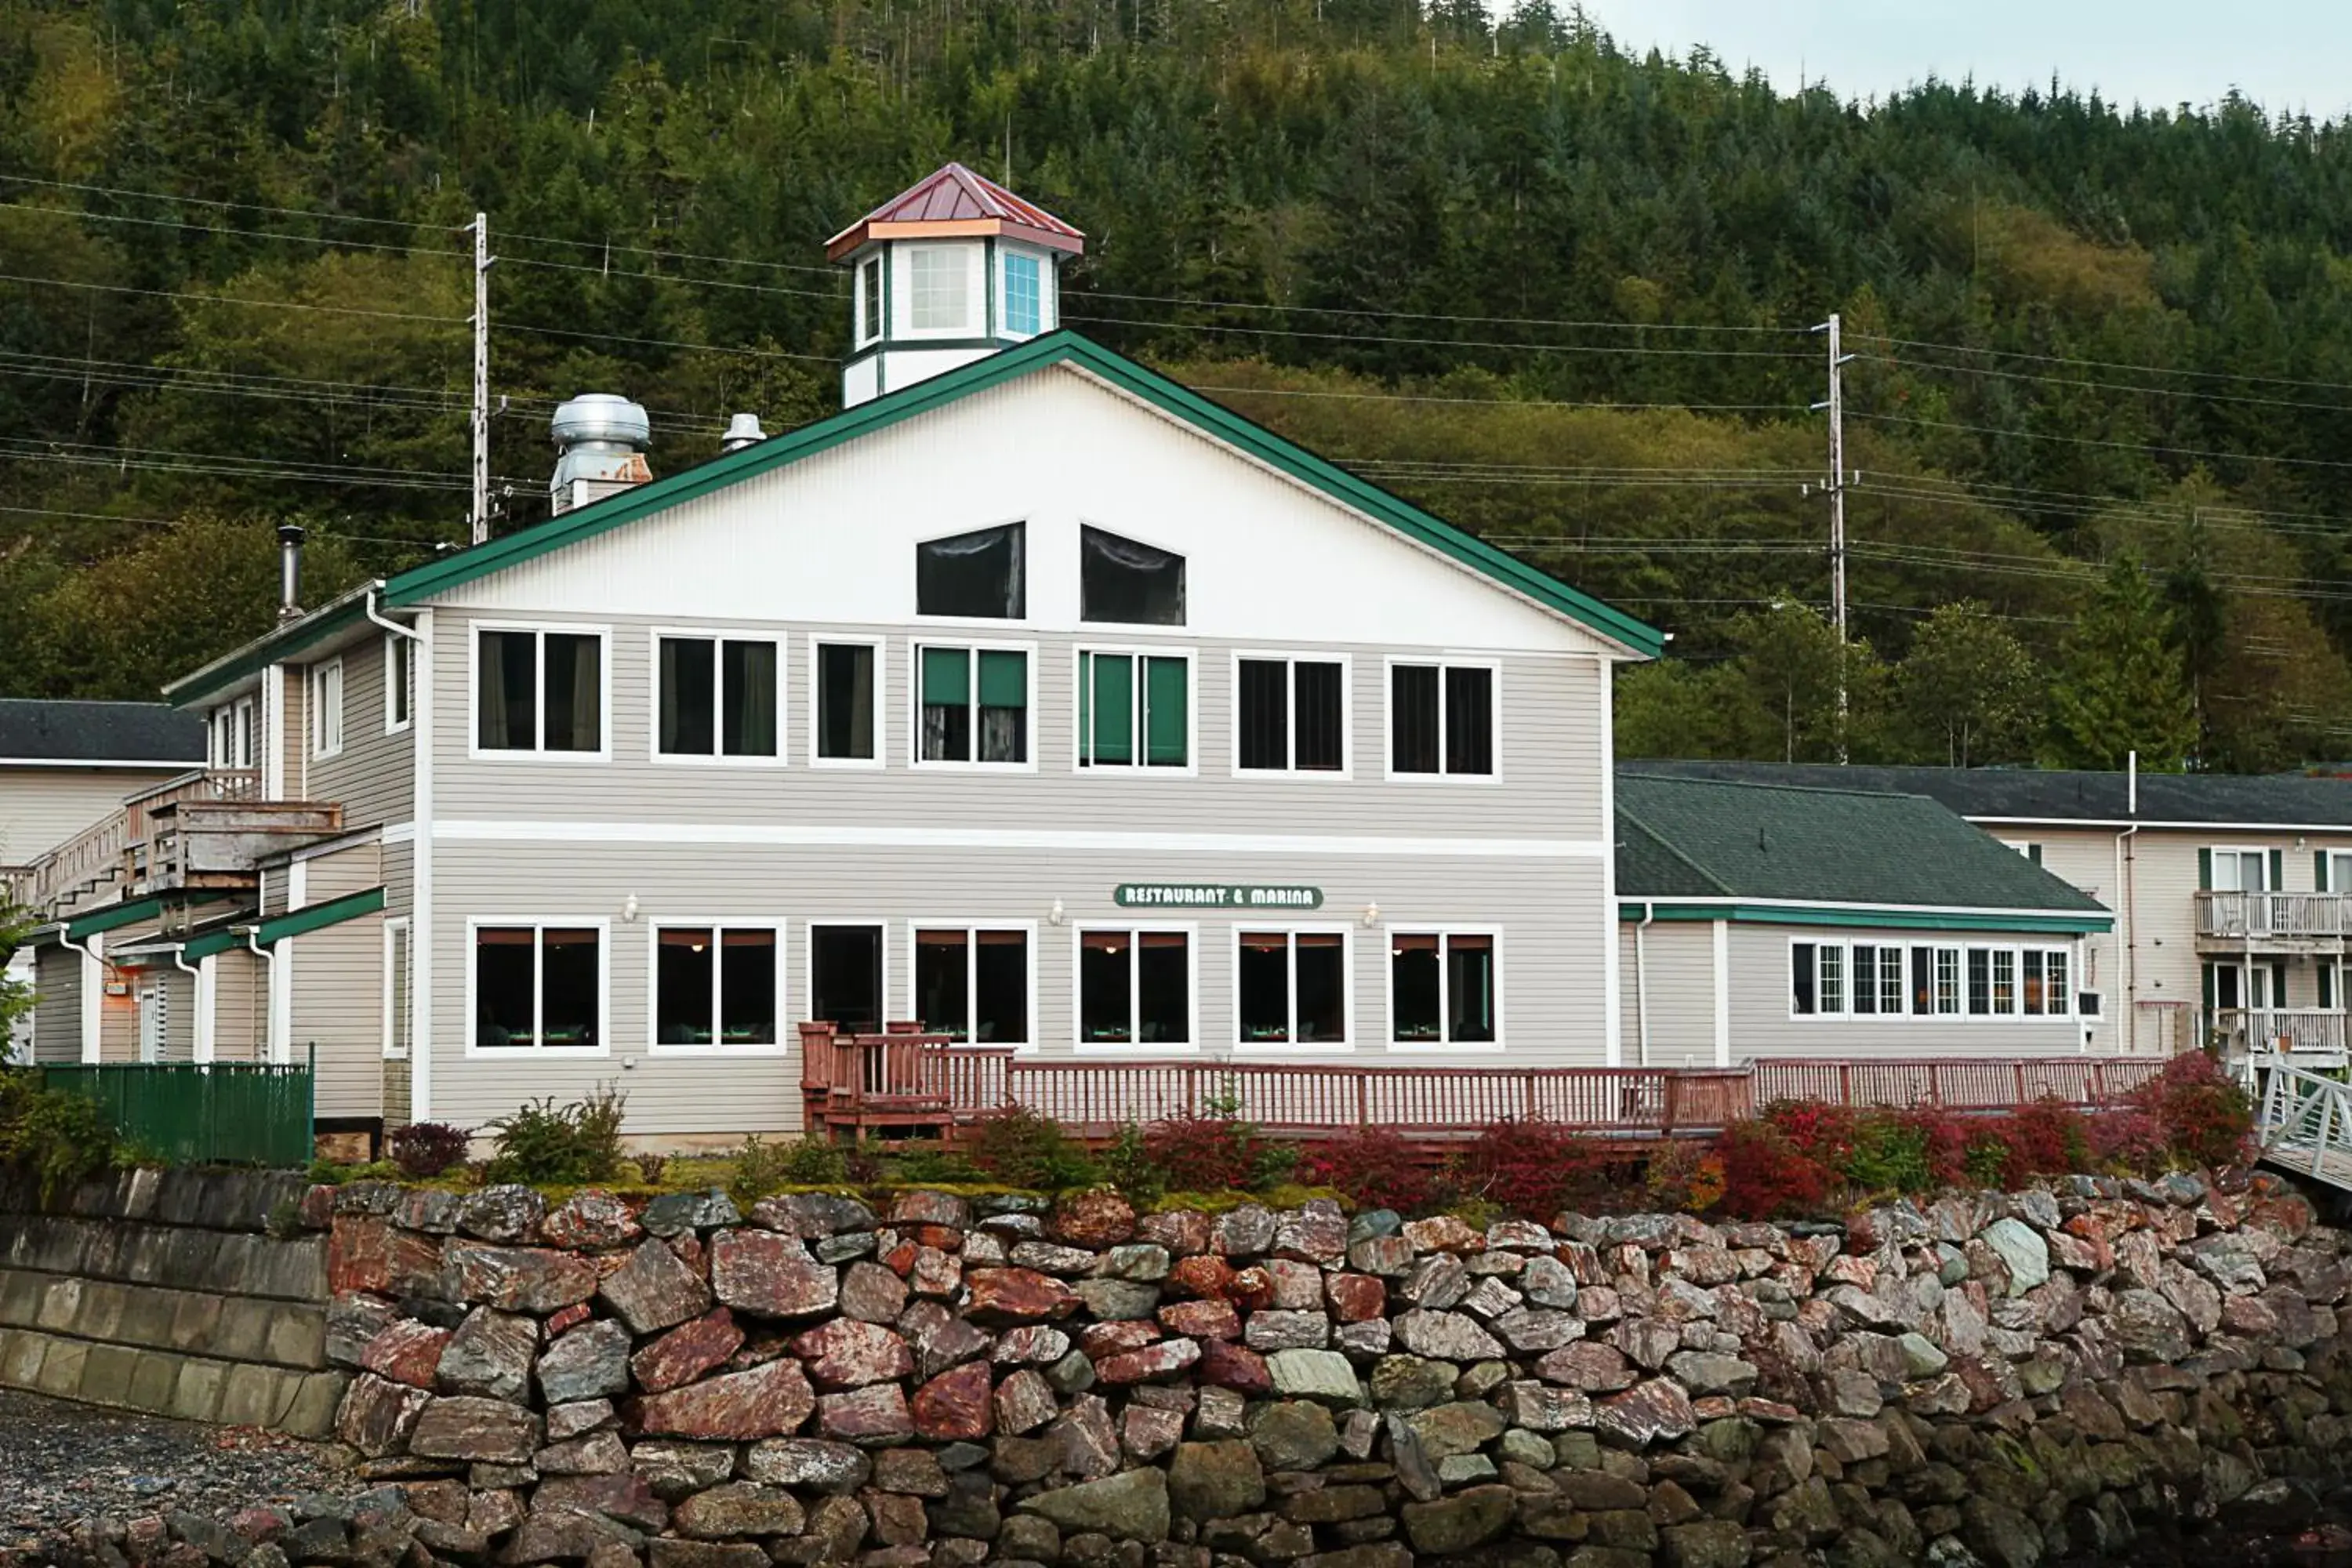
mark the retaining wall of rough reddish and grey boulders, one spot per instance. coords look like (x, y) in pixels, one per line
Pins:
(994, 1381)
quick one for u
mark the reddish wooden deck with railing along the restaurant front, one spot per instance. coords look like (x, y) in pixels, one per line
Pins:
(923, 1083)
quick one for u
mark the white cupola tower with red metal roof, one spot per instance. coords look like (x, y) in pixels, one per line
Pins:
(947, 274)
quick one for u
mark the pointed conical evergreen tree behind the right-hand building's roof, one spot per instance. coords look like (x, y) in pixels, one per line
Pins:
(2123, 688)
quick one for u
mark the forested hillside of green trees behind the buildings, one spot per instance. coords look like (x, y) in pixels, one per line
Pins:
(1549, 290)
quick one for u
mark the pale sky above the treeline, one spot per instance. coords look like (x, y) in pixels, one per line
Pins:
(2285, 55)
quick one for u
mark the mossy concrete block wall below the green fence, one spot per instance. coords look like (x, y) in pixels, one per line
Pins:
(166, 1292)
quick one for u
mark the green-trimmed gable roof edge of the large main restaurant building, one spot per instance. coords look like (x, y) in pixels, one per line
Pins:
(1069, 349)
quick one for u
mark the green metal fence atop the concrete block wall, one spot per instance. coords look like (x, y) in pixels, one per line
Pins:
(203, 1113)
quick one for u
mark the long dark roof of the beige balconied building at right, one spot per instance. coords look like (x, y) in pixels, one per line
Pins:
(2062, 796)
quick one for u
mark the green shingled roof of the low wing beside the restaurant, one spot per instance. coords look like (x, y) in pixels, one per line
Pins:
(1704, 838)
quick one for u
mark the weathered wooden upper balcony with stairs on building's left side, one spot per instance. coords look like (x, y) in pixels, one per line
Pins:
(196, 833)
